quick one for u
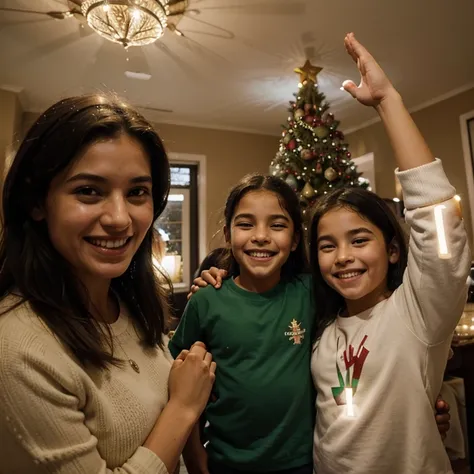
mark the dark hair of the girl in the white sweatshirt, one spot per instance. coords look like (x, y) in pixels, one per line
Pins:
(328, 302)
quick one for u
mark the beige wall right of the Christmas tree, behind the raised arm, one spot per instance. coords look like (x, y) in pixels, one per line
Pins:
(440, 126)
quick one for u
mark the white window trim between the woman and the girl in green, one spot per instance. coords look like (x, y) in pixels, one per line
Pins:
(200, 160)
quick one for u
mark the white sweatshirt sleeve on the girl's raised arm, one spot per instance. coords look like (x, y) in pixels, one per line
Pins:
(434, 289)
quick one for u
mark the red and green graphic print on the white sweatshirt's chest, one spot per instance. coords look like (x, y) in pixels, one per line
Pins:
(353, 365)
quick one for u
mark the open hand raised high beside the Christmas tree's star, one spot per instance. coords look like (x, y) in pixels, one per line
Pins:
(374, 85)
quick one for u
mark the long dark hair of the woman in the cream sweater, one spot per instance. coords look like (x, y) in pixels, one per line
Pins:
(29, 263)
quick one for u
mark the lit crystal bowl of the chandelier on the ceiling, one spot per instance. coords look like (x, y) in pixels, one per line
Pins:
(127, 22)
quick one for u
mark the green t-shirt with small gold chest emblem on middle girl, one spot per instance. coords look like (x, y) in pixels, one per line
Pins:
(263, 417)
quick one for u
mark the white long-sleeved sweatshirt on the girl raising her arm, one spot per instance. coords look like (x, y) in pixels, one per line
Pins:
(393, 355)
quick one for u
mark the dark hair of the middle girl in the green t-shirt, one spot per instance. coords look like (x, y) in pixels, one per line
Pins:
(297, 262)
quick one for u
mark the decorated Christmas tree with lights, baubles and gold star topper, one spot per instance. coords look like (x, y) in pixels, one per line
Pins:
(313, 158)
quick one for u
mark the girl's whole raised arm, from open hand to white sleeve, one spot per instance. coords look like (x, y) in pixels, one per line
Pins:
(434, 288)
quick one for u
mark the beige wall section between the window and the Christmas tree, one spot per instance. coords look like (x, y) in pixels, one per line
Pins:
(229, 156)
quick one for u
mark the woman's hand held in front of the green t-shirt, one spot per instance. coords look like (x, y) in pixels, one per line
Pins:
(191, 378)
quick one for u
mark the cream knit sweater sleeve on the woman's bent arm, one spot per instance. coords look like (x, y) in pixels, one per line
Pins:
(42, 428)
